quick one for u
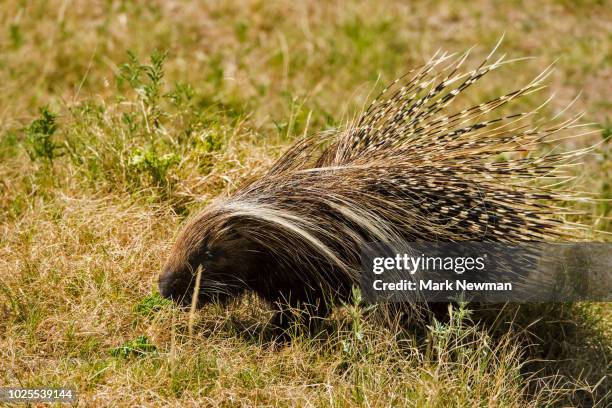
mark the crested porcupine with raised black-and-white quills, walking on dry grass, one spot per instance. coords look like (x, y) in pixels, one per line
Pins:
(406, 169)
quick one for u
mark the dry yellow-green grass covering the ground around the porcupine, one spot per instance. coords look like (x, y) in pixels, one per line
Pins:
(118, 119)
